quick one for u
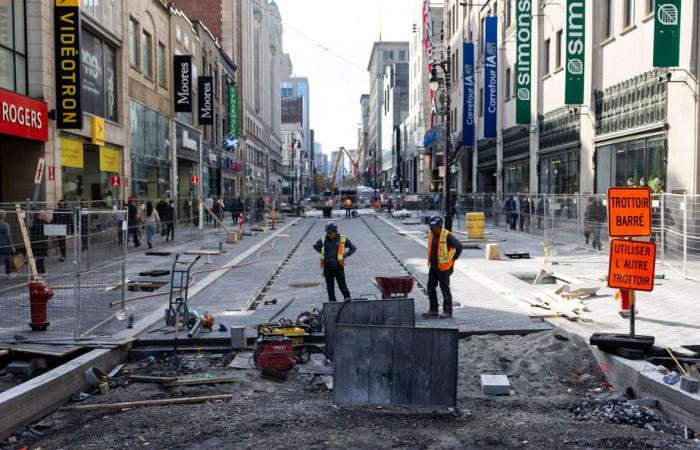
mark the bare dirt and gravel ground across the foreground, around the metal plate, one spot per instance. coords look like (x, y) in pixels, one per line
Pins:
(560, 400)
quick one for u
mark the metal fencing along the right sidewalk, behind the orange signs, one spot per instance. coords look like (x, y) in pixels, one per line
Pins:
(582, 220)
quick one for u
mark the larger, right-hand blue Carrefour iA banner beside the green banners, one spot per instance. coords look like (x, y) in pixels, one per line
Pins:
(490, 76)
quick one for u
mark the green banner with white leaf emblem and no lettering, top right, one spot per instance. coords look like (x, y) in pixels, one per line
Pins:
(667, 33)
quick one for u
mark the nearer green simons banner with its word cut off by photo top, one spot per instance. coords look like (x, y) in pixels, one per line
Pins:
(575, 51)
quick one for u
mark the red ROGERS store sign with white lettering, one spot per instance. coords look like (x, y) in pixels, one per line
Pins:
(22, 116)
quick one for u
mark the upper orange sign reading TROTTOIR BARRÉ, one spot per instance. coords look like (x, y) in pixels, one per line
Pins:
(629, 211)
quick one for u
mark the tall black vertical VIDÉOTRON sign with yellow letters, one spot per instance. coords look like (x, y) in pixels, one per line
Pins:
(67, 53)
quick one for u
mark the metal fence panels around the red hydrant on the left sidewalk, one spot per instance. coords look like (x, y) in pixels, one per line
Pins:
(79, 253)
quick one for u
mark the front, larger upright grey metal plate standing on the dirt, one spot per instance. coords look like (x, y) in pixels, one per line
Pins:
(380, 365)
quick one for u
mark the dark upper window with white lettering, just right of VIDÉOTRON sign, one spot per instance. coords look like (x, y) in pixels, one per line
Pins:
(99, 84)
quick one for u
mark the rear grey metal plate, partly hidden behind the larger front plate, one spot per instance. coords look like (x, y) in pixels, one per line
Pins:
(400, 311)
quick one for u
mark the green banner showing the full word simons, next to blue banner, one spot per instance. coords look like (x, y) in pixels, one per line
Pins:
(523, 61)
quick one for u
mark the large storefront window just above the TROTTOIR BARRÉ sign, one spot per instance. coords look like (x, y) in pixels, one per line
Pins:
(629, 162)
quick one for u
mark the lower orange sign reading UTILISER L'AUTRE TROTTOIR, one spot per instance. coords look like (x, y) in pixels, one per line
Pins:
(631, 265)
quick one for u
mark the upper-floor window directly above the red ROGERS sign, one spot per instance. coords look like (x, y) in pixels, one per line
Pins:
(13, 49)
